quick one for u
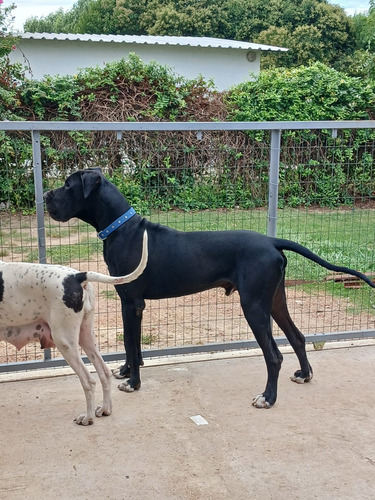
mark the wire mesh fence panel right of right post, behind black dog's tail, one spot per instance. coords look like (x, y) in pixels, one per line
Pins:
(327, 199)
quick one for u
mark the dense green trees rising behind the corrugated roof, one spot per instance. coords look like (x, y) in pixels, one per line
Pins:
(313, 29)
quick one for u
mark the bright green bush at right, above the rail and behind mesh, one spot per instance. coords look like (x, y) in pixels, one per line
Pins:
(331, 170)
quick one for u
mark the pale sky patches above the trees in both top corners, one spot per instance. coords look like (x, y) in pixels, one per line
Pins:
(40, 8)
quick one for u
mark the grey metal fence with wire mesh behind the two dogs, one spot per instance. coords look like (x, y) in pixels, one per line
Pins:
(312, 182)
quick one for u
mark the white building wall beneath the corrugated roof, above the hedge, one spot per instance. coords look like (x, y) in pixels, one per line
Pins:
(226, 66)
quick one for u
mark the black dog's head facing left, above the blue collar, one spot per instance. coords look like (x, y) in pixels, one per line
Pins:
(73, 198)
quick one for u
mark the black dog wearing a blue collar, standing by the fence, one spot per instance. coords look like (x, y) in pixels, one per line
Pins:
(182, 263)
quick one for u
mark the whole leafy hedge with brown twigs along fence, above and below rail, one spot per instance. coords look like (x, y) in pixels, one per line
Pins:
(170, 170)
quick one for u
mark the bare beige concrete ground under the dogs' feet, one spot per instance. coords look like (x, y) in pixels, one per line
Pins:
(318, 442)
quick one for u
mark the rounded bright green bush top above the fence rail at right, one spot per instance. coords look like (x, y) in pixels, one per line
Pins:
(305, 93)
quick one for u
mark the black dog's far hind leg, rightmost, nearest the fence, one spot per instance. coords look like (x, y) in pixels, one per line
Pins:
(282, 317)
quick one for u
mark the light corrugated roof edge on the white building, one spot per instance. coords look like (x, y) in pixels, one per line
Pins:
(155, 40)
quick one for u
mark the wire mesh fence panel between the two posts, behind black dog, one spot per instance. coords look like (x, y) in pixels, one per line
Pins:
(187, 183)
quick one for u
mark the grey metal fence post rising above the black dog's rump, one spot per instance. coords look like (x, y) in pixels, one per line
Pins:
(273, 183)
